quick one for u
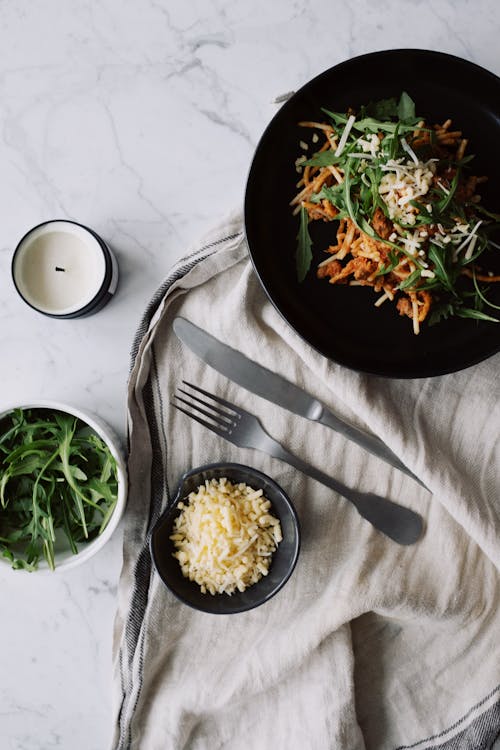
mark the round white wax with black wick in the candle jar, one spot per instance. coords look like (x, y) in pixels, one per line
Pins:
(59, 245)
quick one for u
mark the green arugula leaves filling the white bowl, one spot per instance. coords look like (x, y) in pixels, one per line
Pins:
(57, 479)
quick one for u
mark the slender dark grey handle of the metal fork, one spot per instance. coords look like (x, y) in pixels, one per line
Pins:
(401, 524)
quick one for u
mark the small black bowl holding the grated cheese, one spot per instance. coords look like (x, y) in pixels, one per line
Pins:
(283, 562)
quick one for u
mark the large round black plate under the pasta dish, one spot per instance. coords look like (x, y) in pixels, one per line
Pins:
(340, 321)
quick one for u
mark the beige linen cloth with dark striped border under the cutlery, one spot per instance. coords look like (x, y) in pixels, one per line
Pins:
(370, 645)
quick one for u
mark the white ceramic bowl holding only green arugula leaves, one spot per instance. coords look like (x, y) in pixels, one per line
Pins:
(64, 558)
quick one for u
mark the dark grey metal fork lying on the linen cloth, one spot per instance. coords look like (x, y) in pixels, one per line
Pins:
(245, 430)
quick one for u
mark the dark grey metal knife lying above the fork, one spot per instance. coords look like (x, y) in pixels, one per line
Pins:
(267, 384)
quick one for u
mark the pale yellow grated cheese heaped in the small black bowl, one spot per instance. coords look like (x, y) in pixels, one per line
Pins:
(225, 536)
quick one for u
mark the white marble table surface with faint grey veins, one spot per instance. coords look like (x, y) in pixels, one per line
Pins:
(140, 120)
